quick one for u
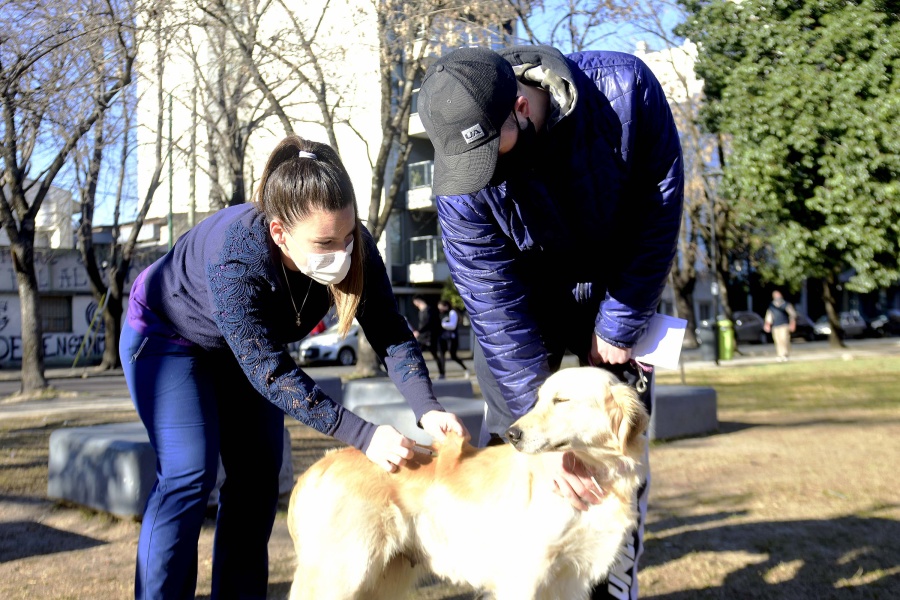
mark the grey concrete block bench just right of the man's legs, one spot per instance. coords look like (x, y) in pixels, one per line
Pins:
(682, 411)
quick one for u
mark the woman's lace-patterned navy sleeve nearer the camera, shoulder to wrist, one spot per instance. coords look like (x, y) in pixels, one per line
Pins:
(238, 287)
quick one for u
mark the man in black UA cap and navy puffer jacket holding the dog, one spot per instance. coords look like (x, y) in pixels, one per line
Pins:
(559, 184)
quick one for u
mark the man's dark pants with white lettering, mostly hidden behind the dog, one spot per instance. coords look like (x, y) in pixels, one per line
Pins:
(621, 583)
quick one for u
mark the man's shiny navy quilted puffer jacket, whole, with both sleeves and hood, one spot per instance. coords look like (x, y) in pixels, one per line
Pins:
(581, 239)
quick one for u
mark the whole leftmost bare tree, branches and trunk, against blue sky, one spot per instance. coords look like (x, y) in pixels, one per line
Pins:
(51, 95)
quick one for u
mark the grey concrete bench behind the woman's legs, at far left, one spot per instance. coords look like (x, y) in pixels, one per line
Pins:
(112, 468)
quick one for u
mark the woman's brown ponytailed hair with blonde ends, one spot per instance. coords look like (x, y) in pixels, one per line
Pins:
(292, 187)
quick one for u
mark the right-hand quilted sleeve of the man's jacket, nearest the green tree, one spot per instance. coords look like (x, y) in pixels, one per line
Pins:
(652, 149)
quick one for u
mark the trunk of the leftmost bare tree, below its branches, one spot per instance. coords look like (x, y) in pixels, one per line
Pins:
(33, 379)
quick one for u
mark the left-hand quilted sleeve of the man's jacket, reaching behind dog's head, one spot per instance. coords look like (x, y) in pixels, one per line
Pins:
(481, 258)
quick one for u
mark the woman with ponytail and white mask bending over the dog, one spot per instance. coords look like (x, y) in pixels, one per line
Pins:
(204, 352)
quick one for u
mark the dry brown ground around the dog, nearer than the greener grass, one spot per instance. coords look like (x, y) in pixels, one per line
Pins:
(775, 505)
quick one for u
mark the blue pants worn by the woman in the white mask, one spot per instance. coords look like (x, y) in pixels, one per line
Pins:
(198, 406)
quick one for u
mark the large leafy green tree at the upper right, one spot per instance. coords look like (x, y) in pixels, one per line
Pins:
(808, 94)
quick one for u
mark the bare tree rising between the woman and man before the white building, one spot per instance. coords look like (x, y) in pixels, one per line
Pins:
(293, 68)
